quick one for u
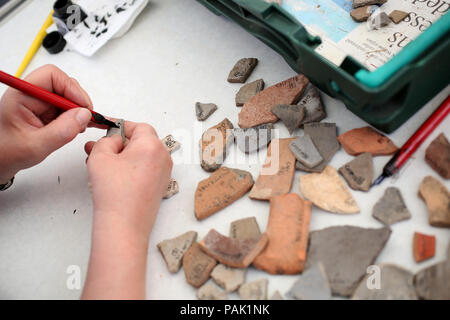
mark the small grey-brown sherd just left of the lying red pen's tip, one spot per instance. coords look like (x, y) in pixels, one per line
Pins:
(359, 172)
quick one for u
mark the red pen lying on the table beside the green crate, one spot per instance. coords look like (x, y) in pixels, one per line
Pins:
(407, 150)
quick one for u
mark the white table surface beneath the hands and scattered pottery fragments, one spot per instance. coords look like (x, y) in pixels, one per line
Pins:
(177, 53)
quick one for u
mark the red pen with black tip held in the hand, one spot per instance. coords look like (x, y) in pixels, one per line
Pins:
(50, 97)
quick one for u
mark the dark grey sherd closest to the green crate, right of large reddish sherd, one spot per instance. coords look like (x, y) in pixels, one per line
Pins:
(314, 108)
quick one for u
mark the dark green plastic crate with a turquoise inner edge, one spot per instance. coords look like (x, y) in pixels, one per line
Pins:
(385, 98)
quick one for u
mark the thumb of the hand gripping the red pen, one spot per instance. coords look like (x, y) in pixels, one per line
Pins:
(63, 129)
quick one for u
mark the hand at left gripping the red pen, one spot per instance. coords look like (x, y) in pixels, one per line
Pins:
(30, 129)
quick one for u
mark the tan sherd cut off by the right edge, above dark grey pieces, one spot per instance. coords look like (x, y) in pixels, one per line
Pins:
(437, 199)
